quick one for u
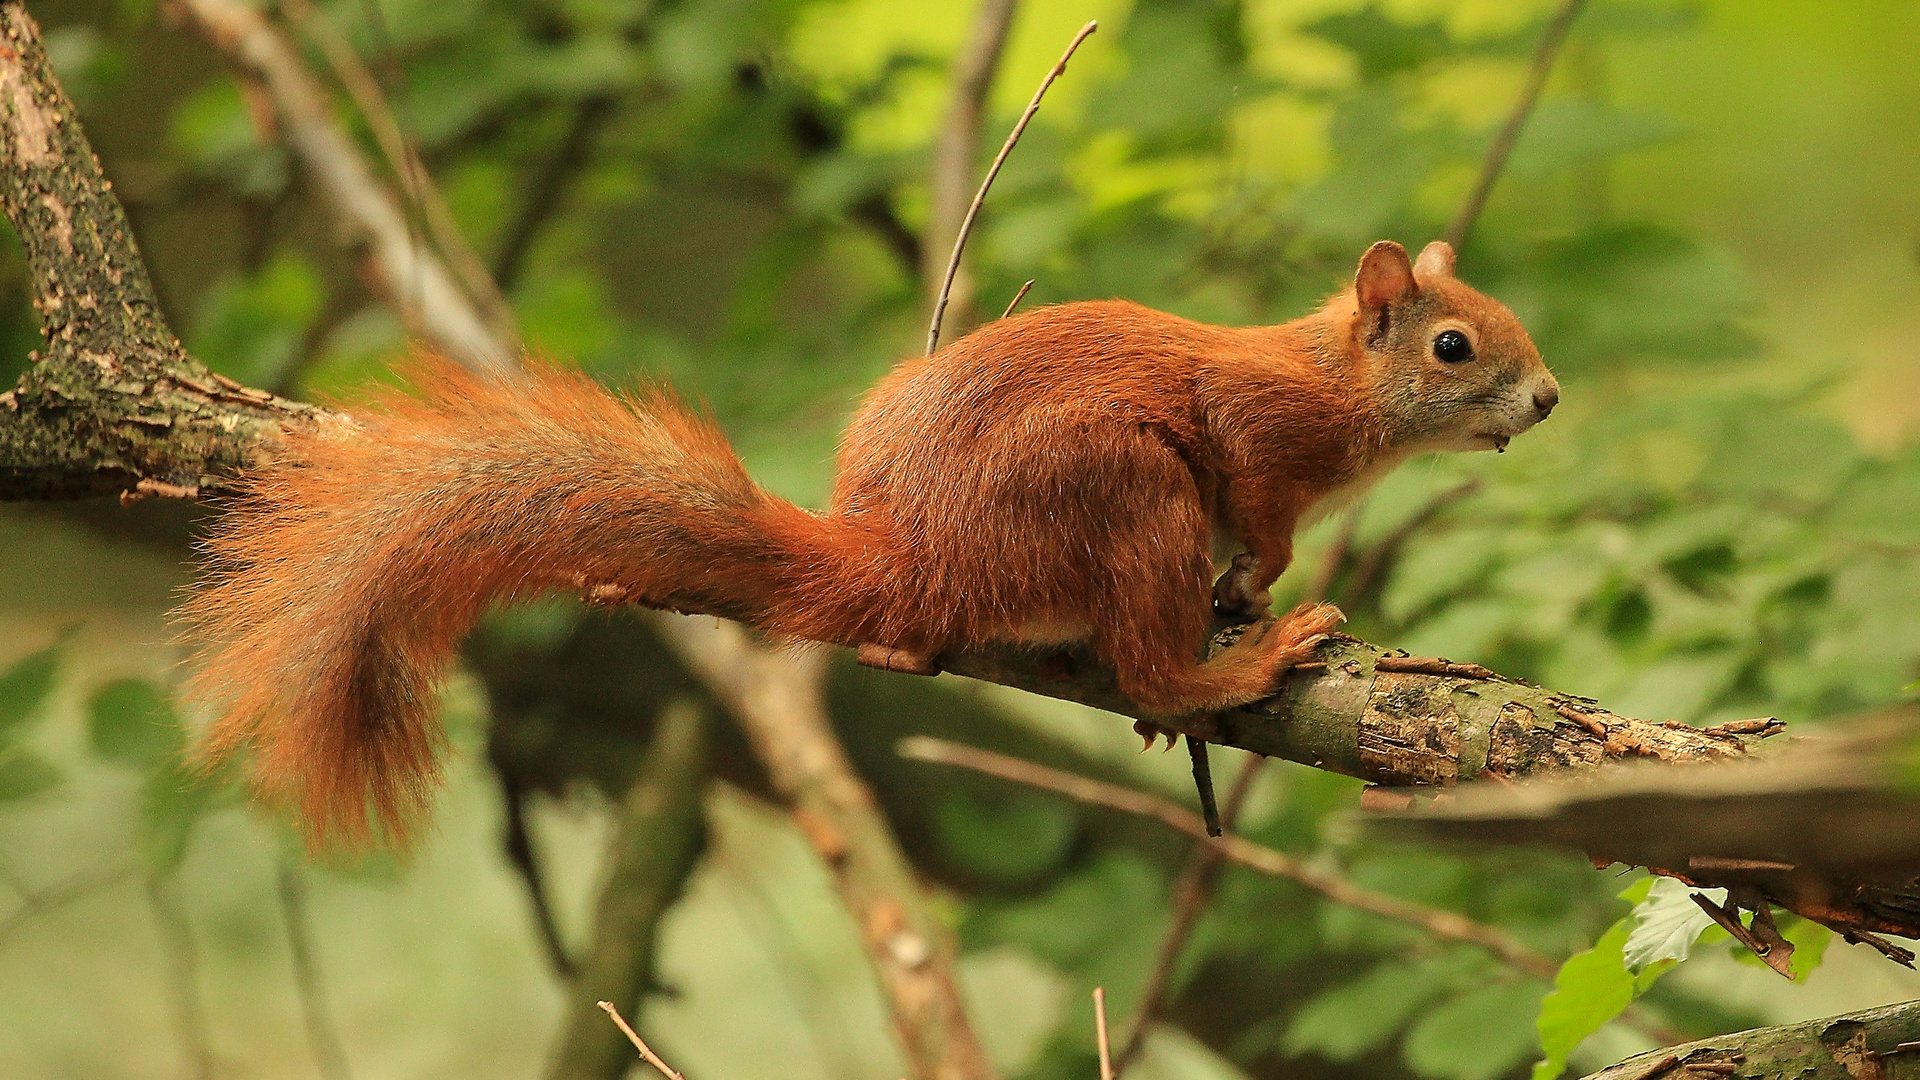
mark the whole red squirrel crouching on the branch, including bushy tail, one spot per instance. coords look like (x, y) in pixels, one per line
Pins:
(1061, 476)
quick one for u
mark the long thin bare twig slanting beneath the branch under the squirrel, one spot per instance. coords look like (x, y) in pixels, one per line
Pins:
(1435, 921)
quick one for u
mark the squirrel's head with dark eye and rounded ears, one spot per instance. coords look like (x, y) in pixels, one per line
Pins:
(1451, 368)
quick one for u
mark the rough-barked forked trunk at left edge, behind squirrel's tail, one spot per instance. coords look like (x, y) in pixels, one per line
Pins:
(112, 401)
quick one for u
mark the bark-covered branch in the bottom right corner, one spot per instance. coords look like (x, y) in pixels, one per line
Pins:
(1875, 1044)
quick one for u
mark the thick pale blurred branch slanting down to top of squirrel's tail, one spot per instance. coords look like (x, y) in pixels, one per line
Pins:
(420, 285)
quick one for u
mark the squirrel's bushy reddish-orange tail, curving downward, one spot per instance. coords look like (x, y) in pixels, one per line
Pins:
(347, 576)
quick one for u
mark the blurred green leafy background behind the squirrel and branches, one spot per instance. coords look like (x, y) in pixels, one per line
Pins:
(1712, 230)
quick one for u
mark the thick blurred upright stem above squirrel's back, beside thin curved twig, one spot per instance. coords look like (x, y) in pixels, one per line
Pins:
(953, 147)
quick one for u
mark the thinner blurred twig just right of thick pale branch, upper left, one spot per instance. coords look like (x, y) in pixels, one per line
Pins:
(404, 160)
